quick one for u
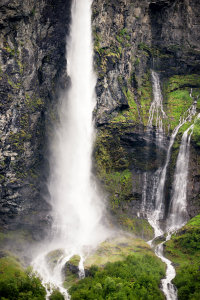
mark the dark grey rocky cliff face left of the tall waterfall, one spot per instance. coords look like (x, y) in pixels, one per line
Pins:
(32, 70)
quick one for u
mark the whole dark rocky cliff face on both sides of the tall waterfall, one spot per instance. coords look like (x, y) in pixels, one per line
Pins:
(130, 37)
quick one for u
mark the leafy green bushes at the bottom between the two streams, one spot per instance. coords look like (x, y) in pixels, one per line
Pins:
(134, 278)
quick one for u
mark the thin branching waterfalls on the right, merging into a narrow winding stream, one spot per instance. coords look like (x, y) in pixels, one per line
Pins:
(153, 205)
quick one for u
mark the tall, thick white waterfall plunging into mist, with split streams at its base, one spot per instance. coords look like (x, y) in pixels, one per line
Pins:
(76, 205)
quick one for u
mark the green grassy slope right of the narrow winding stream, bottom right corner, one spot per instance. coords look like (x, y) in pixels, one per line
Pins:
(184, 250)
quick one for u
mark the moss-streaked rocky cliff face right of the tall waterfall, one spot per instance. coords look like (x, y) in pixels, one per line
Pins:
(132, 37)
